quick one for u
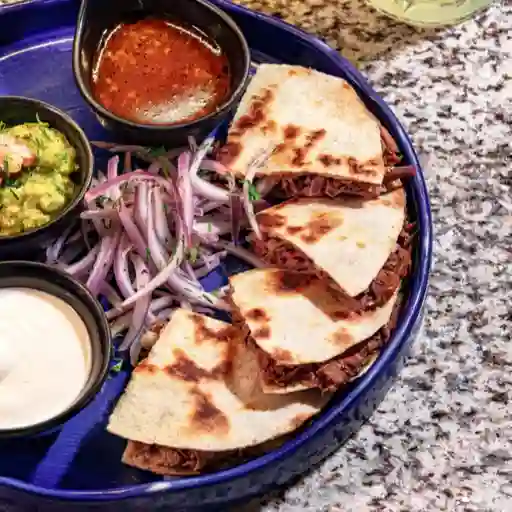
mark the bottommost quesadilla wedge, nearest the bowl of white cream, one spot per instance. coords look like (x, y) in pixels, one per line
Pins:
(197, 397)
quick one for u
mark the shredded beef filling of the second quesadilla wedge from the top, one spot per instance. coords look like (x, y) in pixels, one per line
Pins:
(281, 254)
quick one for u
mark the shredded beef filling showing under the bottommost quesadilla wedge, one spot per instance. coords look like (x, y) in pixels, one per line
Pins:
(166, 461)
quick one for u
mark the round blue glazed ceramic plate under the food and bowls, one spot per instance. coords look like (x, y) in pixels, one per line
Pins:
(79, 467)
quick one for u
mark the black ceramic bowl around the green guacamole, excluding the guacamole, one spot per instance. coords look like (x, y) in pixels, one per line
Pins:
(17, 110)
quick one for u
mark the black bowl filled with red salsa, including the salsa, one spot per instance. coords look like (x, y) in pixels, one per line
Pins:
(158, 72)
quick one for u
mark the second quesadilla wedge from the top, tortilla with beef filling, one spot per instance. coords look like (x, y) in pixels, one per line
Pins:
(360, 247)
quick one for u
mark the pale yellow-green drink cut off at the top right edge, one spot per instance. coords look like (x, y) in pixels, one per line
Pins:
(430, 12)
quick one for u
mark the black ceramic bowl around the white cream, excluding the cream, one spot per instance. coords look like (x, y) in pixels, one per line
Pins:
(37, 276)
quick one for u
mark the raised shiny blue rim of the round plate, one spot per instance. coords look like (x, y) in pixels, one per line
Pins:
(410, 315)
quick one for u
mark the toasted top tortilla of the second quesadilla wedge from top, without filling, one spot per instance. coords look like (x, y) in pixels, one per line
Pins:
(348, 239)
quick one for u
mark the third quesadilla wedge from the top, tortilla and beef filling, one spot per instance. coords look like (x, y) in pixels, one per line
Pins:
(300, 333)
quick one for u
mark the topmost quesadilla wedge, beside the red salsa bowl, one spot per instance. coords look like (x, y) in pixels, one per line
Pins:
(323, 140)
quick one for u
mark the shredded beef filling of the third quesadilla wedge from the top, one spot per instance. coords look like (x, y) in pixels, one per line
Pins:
(329, 375)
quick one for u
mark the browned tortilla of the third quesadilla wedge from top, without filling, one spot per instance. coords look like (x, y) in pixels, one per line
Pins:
(294, 319)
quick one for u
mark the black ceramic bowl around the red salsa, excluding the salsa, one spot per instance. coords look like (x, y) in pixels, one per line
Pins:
(98, 17)
